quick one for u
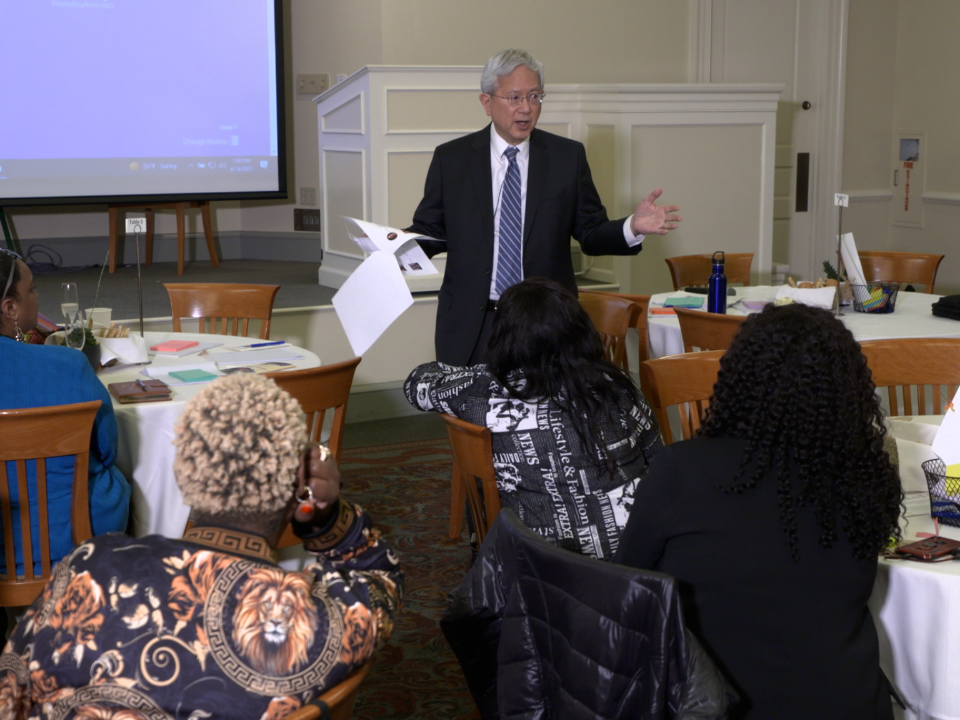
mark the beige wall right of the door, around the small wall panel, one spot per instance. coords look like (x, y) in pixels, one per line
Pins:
(900, 61)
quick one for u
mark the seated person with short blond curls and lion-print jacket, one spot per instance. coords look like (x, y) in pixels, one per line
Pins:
(210, 626)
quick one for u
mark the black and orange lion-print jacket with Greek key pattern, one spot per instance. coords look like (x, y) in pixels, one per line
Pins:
(159, 628)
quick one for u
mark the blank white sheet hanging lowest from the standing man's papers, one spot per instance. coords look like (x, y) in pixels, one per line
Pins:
(371, 299)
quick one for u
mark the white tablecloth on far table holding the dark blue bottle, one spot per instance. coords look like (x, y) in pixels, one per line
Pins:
(910, 318)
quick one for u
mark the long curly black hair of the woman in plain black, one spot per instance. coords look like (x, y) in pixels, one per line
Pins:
(795, 386)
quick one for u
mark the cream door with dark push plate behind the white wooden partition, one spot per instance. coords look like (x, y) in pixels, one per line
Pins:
(798, 43)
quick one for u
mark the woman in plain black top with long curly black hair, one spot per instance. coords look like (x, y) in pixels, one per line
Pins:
(772, 519)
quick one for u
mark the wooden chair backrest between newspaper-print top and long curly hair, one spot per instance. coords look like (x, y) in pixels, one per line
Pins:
(685, 381)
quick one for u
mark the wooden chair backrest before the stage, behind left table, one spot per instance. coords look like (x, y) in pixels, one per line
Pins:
(234, 305)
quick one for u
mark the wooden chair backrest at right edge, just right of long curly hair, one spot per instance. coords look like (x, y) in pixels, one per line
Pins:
(911, 364)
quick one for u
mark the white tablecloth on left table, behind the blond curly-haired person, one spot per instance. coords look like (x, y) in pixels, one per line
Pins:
(146, 436)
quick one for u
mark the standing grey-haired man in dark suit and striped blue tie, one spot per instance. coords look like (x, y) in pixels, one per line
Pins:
(505, 214)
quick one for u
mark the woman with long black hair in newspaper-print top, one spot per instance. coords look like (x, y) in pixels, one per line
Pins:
(572, 435)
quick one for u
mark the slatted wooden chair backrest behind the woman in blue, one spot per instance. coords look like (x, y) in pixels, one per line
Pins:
(37, 434)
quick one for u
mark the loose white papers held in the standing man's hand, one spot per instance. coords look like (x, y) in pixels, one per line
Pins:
(375, 295)
